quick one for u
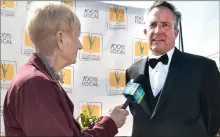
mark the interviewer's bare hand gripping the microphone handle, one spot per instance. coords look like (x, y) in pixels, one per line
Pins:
(118, 115)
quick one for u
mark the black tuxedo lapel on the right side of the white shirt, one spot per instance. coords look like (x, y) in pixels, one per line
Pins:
(173, 71)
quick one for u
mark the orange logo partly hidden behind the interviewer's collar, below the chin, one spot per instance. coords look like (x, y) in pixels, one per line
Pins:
(67, 73)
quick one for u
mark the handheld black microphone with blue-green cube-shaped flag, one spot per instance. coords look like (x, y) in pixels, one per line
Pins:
(134, 90)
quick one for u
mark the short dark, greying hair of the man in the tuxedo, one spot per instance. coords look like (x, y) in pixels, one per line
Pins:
(177, 14)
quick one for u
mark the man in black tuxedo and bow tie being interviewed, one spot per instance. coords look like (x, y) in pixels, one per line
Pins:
(182, 90)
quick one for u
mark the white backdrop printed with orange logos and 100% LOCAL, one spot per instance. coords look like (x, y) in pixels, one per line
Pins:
(115, 35)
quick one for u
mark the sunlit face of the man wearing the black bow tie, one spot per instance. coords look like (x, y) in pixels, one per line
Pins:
(160, 32)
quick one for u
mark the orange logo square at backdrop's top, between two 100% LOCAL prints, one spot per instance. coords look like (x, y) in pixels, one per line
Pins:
(116, 14)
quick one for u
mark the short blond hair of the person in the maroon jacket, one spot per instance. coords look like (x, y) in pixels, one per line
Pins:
(46, 21)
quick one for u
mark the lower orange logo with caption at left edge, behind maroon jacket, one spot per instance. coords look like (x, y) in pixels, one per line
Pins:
(8, 70)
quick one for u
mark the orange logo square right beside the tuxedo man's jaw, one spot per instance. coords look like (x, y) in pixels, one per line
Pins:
(141, 48)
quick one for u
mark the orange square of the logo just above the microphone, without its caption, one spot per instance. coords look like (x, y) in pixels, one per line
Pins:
(117, 79)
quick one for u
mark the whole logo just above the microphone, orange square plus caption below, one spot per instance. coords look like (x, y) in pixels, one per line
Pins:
(116, 82)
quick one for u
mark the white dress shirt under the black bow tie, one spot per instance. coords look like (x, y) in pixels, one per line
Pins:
(159, 73)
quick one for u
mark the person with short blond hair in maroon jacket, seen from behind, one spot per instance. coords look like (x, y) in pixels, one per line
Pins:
(36, 104)
